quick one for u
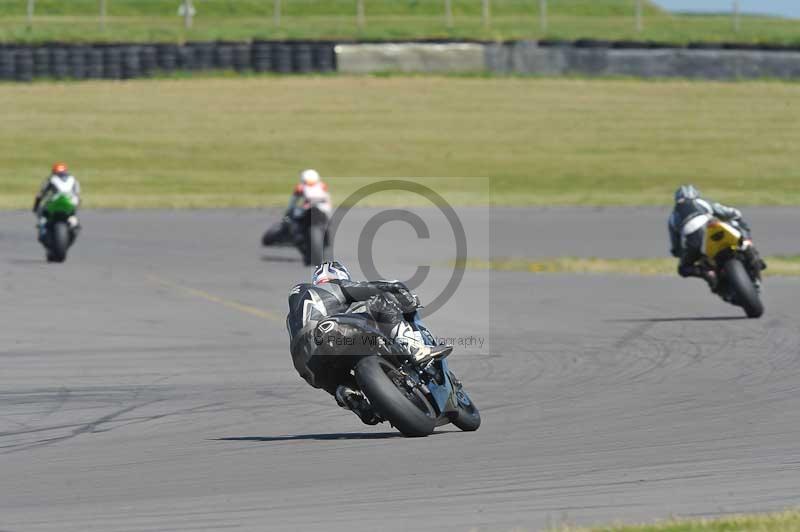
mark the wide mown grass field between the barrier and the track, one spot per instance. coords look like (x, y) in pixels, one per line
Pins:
(241, 141)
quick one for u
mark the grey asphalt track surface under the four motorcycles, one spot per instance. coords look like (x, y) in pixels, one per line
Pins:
(146, 385)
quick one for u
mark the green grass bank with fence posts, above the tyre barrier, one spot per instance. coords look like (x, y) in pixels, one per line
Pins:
(157, 20)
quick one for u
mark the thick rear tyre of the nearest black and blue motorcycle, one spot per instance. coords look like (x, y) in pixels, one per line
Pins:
(408, 410)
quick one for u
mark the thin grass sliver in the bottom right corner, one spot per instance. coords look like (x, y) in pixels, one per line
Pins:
(775, 522)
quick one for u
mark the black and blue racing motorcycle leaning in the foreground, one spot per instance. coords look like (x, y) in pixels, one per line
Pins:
(414, 398)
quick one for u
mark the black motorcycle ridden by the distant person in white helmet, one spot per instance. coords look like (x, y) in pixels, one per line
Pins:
(305, 228)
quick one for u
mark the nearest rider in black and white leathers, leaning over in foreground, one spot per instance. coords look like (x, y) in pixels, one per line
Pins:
(333, 292)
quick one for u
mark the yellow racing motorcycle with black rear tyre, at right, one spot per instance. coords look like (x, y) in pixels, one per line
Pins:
(739, 282)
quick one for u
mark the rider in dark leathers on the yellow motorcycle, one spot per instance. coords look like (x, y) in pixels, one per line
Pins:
(686, 229)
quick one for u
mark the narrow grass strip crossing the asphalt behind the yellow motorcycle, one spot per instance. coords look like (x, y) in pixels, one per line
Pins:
(781, 266)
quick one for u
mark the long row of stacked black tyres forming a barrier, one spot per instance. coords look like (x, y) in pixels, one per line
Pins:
(130, 61)
